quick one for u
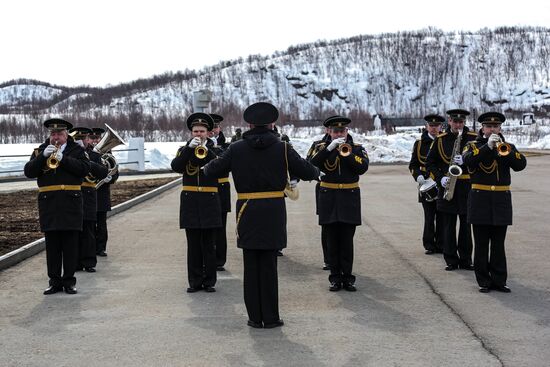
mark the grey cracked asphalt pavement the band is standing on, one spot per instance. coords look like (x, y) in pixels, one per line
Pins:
(407, 312)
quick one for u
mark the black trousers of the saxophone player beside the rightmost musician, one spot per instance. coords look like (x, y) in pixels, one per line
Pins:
(450, 245)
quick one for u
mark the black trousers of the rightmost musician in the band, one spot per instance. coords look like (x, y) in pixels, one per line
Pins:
(490, 257)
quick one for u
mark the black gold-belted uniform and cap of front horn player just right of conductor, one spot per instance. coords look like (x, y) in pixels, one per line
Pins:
(340, 203)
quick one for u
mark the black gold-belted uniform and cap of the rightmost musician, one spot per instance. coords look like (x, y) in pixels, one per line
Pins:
(490, 204)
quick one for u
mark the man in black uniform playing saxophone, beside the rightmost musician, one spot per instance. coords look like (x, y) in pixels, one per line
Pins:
(456, 254)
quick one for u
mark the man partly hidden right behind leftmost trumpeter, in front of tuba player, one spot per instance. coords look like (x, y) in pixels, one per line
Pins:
(87, 259)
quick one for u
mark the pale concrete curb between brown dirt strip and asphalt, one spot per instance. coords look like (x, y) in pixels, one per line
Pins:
(33, 248)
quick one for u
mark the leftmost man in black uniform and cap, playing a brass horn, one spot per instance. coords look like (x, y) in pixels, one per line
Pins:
(59, 165)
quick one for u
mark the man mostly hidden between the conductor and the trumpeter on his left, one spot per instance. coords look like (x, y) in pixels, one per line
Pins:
(224, 188)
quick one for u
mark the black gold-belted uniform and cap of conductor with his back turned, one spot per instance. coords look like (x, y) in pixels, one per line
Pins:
(259, 171)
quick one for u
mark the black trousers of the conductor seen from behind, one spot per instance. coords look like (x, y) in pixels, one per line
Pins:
(261, 290)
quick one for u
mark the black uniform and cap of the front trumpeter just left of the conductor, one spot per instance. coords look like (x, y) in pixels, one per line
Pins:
(200, 210)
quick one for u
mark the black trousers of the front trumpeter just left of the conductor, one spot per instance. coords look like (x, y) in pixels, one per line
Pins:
(201, 257)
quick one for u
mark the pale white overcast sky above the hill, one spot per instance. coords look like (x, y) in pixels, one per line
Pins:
(101, 42)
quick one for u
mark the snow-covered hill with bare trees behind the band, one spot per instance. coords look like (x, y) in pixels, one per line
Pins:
(406, 74)
